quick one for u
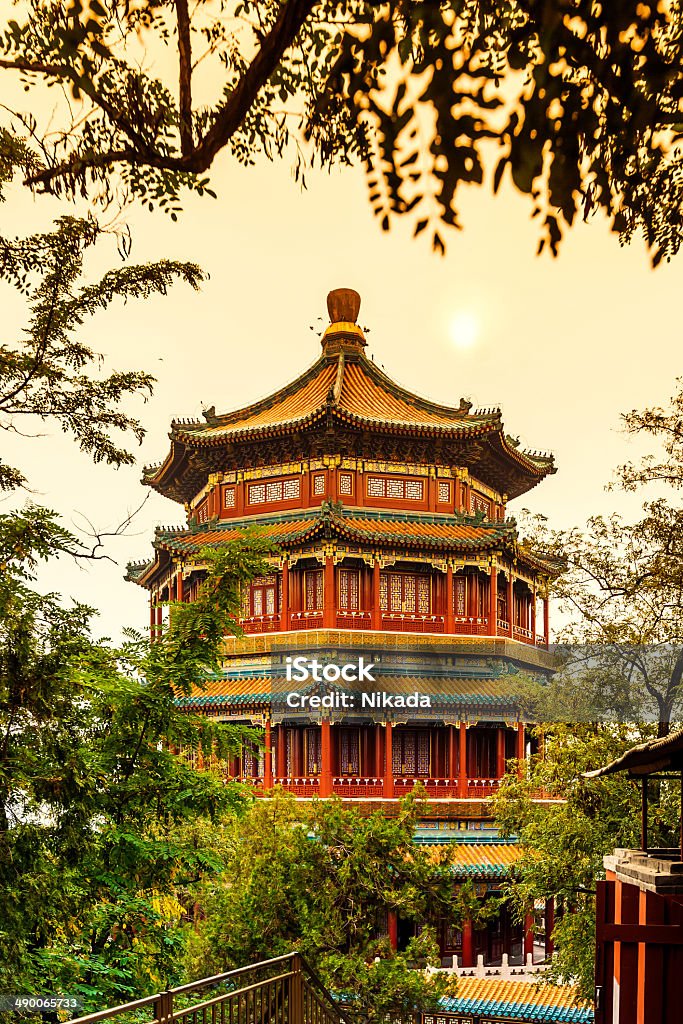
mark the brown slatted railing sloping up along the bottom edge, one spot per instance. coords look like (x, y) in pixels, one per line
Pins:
(284, 991)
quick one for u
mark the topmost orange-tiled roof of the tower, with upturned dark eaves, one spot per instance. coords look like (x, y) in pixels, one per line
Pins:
(345, 388)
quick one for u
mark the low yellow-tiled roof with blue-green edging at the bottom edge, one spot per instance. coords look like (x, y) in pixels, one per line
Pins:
(518, 1001)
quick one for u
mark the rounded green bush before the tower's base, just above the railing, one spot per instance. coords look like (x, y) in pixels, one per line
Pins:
(322, 879)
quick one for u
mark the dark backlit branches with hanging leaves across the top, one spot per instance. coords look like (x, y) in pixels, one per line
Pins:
(579, 103)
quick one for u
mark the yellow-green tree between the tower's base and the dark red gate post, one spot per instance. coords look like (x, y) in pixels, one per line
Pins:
(564, 842)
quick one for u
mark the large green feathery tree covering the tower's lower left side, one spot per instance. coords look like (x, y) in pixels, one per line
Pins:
(96, 807)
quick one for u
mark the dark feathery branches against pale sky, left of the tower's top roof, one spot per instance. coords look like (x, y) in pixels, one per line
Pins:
(50, 374)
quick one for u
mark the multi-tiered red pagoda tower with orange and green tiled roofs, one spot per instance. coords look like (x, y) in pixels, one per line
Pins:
(390, 517)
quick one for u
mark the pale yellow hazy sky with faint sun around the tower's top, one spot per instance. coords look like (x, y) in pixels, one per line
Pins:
(564, 347)
